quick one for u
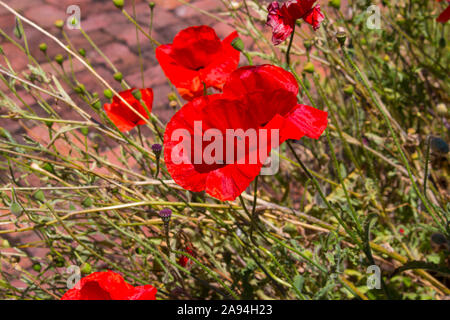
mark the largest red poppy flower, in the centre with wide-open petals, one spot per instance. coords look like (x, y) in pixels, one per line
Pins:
(254, 98)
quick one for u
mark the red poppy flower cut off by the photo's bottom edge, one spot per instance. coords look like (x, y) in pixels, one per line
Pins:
(108, 286)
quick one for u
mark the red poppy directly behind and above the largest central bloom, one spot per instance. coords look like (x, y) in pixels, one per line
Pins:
(198, 58)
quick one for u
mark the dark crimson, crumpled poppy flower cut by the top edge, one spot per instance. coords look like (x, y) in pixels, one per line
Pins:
(282, 19)
